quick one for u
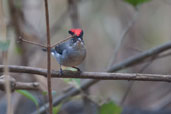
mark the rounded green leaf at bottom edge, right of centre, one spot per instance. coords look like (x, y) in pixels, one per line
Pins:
(110, 108)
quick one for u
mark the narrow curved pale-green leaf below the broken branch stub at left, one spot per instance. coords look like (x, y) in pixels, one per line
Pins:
(28, 95)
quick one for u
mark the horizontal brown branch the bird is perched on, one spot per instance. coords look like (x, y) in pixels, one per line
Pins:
(90, 75)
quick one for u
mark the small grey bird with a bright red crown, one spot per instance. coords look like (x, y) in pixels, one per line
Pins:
(72, 52)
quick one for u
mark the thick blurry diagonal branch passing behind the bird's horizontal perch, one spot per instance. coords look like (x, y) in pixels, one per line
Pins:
(124, 64)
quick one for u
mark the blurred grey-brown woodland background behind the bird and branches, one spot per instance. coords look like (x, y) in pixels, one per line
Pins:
(114, 30)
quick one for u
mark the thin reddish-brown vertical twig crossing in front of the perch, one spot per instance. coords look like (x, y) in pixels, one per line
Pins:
(48, 57)
